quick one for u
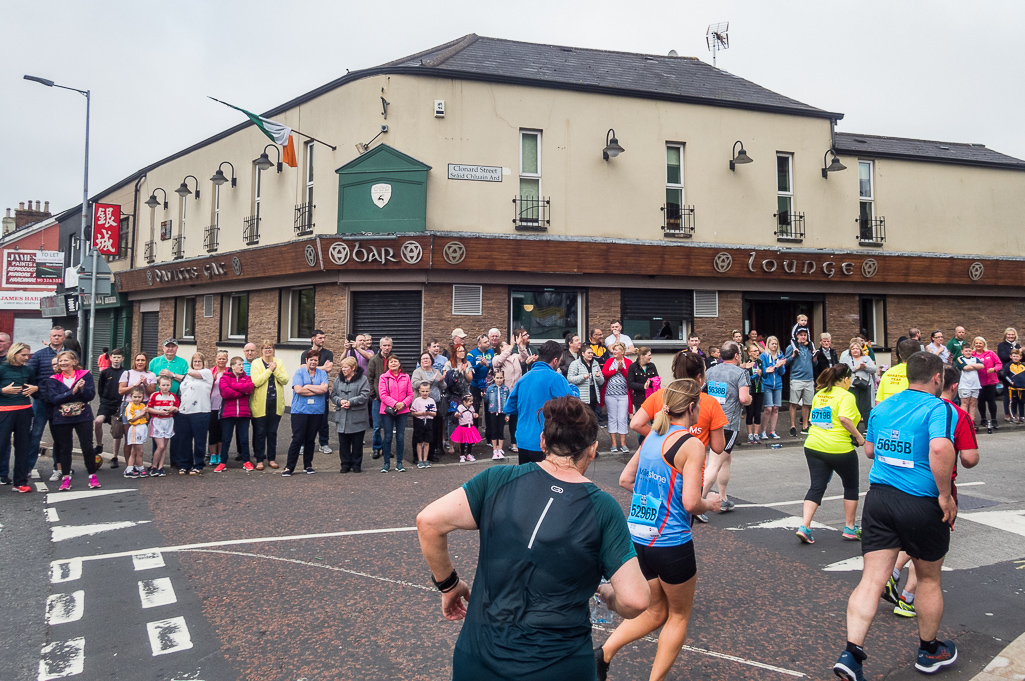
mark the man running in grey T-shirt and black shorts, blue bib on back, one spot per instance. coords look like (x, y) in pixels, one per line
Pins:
(731, 387)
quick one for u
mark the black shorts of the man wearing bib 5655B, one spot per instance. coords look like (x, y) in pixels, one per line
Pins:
(893, 519)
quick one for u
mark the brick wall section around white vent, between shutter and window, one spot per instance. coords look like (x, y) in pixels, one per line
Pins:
(439, 321)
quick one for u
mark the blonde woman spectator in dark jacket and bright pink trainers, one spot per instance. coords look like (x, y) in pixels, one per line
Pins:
(69, 393)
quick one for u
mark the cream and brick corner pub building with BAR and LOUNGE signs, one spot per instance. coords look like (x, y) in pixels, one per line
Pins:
(558, 188)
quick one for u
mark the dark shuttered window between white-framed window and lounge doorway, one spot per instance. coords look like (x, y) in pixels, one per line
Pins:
(657, 314)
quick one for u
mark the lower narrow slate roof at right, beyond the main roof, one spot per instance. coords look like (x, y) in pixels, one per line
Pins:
(925, 150)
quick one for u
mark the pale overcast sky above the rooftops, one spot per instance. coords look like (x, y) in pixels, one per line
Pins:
(927, 69)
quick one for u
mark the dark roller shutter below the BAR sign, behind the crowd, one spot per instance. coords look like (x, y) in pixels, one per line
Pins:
(397, 314)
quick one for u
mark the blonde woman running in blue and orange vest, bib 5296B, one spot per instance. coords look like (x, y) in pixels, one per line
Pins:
(661, 528)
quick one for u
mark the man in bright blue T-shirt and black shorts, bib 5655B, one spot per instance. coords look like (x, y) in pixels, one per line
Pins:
(911, 506)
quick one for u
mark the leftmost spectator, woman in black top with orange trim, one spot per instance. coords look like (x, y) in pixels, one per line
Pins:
(17, 389)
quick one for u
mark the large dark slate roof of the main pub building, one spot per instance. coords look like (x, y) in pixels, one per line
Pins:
(630, 74)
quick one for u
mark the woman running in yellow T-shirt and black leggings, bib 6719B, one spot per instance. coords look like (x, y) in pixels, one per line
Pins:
(829, 449)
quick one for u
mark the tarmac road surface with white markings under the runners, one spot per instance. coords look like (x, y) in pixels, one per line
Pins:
(251, 576)
